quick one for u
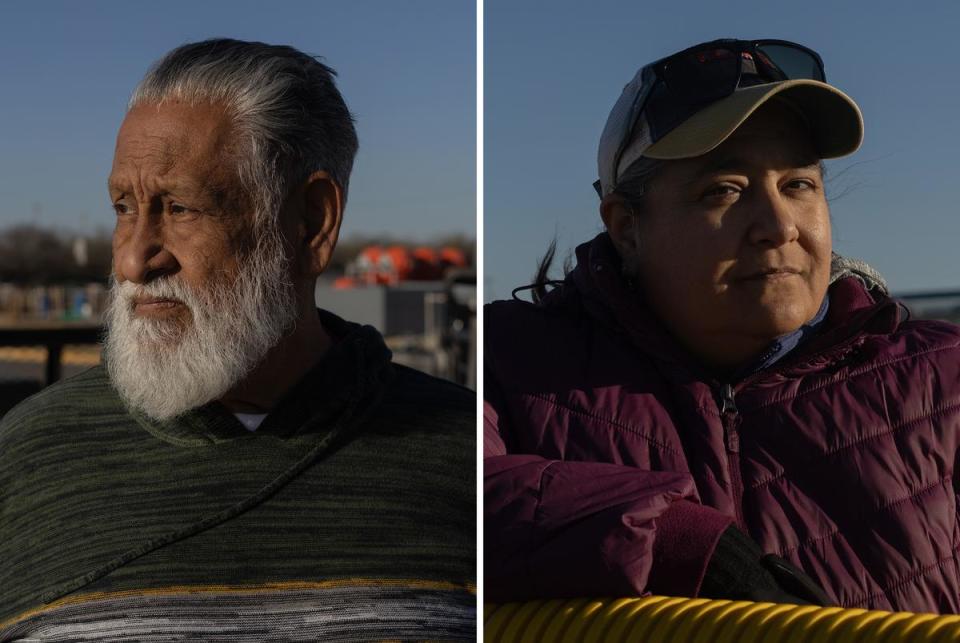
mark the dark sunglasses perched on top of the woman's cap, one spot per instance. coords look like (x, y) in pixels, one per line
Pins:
(688, 81)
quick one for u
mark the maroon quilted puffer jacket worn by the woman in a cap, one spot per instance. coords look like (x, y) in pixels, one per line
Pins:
(612, 464)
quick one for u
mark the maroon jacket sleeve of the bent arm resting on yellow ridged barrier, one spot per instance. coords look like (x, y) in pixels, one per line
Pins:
(555, 528)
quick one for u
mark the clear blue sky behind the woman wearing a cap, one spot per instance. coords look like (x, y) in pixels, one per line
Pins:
(553, 70)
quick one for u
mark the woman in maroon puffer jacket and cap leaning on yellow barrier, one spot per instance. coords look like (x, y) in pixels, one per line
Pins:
(711, 404)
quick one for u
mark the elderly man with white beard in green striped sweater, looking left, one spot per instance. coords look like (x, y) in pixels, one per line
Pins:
(244, 466)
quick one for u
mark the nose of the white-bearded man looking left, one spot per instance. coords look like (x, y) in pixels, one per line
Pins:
(141, 253)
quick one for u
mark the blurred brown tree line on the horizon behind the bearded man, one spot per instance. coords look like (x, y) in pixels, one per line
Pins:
(33, 255)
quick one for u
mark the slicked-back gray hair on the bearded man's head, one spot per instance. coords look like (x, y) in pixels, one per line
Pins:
(291, 120)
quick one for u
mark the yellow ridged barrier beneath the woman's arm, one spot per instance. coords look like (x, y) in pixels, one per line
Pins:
(659, 619)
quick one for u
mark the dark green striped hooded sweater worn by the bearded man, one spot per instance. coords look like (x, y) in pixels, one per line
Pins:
(348, 515)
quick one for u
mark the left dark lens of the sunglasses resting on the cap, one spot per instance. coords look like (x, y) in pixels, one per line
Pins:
(704, 75)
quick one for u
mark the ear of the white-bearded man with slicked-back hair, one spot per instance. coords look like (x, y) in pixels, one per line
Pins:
(320, 223)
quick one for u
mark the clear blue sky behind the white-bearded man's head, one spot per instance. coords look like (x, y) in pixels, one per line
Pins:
(406, 69)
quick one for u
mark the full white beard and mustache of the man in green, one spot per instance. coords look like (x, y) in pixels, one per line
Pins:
(164, 369)
